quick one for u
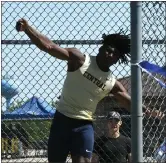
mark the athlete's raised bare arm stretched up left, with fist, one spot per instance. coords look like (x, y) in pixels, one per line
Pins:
(46, 45)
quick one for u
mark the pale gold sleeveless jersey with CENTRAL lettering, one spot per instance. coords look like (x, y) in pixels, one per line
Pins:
(83, 89)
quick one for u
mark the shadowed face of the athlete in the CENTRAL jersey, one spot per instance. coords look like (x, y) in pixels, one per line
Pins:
(110, 54)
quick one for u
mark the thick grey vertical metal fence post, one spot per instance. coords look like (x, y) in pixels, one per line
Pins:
(136, 82)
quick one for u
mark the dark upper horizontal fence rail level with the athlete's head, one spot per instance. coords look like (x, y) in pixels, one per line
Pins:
(78, 42)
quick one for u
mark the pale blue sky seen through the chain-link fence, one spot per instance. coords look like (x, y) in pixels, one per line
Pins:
(37, 73)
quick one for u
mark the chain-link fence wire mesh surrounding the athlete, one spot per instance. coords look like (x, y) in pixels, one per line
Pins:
(33, 75)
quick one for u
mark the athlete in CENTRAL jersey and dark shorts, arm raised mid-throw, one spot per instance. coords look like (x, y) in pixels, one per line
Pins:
(88, 80)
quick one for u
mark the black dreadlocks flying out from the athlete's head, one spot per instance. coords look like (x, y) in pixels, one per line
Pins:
(119, 41)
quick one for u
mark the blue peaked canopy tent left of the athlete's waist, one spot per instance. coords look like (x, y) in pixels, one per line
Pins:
(34, 108)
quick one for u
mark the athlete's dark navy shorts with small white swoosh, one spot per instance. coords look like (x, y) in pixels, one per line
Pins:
(70, 135)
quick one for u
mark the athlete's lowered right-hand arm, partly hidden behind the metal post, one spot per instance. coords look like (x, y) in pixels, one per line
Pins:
(124, 99)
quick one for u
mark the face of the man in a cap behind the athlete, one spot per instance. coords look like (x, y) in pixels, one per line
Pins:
(114, 124)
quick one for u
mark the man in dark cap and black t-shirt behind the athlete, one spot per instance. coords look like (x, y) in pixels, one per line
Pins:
(113, 148)
